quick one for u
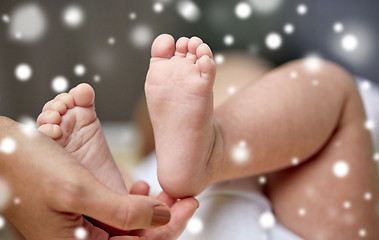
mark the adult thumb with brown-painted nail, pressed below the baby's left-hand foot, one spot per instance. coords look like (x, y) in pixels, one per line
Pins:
(125, 212)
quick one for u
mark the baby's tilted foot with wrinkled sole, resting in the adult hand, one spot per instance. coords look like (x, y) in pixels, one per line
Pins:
(70, 119)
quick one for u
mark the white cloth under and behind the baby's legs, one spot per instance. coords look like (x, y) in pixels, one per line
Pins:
(233, 209)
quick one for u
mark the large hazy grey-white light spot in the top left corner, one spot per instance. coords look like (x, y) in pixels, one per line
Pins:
(28, 23)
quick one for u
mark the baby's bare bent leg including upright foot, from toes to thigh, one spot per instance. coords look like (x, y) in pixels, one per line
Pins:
(306, 132)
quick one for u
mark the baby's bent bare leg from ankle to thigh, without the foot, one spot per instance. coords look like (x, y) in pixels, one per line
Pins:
(309, 127)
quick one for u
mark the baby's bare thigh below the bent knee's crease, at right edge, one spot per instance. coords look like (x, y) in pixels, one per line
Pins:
(335, 193)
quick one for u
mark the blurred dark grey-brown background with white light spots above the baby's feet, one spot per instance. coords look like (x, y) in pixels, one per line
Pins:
(48, 47)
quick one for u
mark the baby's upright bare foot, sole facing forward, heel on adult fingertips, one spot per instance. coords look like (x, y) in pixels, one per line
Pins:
(180, 101)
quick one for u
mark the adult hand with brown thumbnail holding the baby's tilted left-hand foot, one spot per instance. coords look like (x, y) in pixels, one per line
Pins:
(55, 191)
